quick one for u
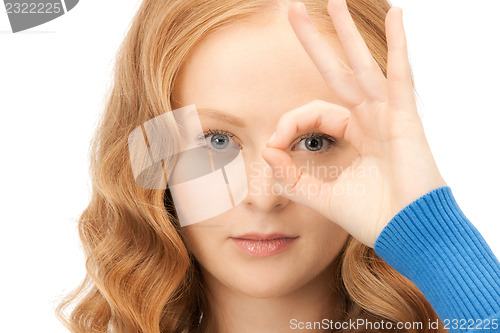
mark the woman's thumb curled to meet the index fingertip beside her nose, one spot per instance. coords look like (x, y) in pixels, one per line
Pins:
(295, 183)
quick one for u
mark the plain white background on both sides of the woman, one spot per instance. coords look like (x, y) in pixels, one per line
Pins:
(52, 84)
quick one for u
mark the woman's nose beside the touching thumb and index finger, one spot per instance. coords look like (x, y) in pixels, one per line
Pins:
(261, 194)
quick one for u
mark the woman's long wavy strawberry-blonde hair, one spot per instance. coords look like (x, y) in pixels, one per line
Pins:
(141, 276)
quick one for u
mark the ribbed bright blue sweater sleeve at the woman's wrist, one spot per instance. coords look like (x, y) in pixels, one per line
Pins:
(432, 243)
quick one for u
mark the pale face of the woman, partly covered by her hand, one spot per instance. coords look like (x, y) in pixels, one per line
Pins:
(256, 72)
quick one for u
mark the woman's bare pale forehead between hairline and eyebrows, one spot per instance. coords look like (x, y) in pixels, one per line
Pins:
(256, 69)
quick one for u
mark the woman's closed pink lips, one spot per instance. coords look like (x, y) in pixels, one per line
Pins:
(262, 245)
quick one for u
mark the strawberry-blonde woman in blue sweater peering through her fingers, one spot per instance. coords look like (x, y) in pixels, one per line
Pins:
(300, 247)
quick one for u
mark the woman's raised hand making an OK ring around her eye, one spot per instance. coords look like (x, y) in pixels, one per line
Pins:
(379, 119)
